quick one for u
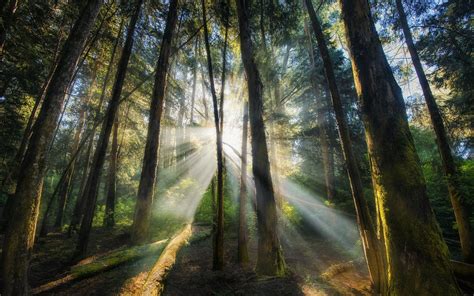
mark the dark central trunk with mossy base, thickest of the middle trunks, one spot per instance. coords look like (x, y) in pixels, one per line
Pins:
(270, 259)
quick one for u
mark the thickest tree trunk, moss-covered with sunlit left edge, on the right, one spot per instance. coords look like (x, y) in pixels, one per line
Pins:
(416, 255)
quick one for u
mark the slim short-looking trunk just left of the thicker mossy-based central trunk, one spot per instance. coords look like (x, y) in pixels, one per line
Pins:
(242, 248)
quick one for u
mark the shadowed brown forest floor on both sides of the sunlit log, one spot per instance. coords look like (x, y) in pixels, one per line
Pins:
(328, 274)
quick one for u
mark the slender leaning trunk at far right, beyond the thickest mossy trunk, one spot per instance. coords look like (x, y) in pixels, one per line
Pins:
(458, 200)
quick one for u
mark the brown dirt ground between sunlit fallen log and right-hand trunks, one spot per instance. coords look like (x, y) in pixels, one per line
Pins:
(193, 275)
